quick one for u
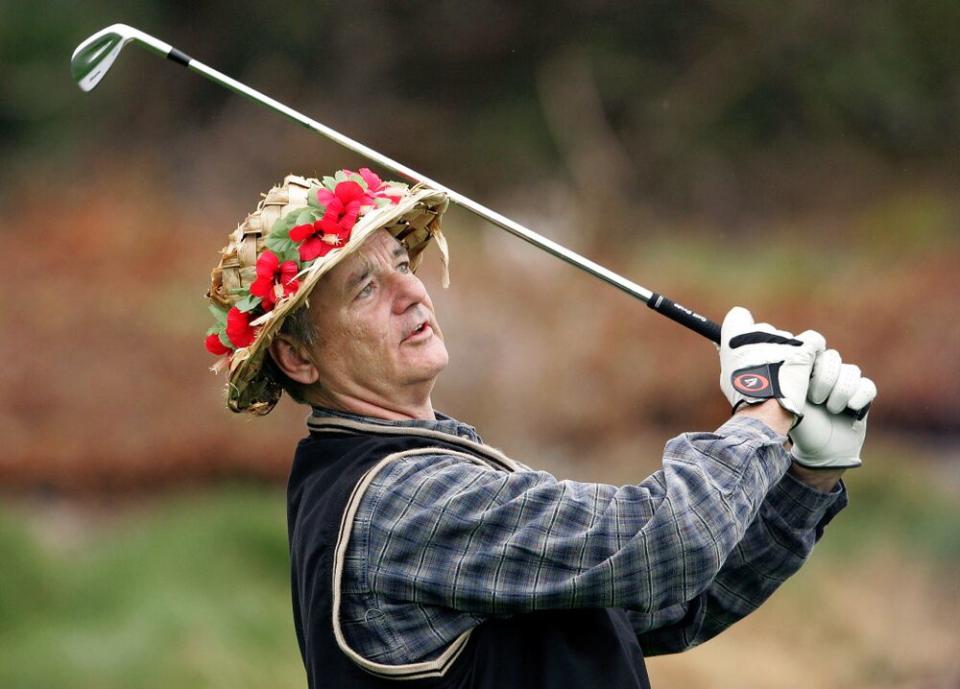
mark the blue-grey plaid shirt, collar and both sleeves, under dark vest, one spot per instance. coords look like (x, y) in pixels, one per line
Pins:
(439, 544)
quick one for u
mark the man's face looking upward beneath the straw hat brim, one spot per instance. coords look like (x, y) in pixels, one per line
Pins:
(378, 337)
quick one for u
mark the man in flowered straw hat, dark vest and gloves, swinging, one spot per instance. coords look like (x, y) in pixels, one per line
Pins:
(419, 553)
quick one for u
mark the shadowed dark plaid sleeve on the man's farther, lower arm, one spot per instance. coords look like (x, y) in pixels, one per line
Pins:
(790, 520)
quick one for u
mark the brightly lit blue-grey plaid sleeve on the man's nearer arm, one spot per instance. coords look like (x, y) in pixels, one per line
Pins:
(445, 533)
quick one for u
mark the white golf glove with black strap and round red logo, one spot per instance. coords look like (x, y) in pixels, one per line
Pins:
(758, 362)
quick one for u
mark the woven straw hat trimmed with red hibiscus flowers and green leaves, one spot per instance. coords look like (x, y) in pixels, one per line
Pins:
(300, 230)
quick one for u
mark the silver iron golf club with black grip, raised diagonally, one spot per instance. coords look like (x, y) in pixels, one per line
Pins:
(93, 58)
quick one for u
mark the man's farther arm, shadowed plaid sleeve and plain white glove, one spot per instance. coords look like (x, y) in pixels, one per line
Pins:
(792, 517)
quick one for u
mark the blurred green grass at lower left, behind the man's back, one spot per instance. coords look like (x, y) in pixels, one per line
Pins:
(191, 591)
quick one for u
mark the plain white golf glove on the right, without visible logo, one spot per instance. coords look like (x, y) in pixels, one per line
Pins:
(829, 437)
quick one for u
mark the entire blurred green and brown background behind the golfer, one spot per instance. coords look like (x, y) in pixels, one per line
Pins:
(800, 159)
